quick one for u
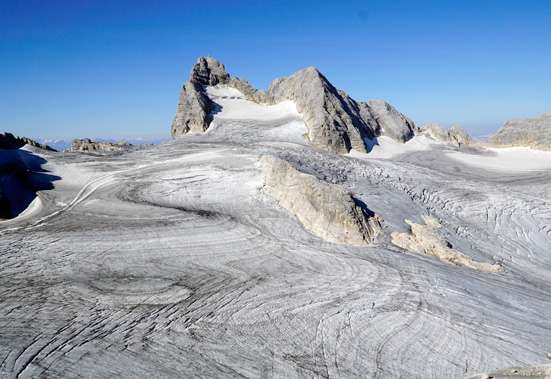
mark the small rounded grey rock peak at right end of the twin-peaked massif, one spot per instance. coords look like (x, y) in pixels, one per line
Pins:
(393, 124)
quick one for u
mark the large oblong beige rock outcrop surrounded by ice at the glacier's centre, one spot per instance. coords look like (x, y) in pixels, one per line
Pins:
(327, 210)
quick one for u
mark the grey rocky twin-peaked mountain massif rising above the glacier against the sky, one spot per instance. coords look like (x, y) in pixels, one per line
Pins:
(335, 122)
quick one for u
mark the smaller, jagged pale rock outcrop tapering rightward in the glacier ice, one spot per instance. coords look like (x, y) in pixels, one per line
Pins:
(424, 239)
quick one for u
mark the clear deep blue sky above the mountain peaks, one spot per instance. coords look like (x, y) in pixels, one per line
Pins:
(113, 69)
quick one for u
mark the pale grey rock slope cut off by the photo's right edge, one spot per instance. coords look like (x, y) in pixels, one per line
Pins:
(532, 132)
